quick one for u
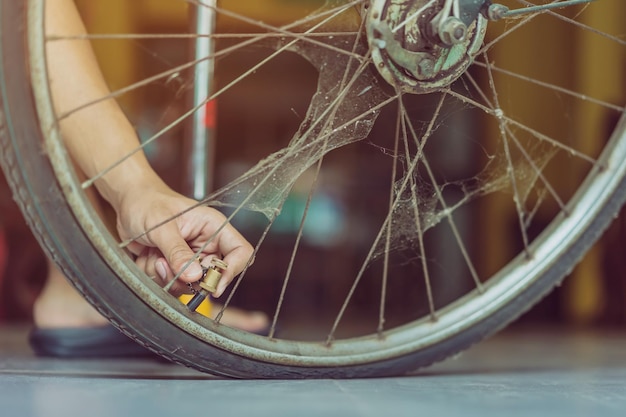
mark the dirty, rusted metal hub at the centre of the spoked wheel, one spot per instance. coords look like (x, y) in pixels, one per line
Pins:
(421, 46)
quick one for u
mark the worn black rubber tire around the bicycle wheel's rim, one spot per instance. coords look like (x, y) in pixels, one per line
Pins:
(41, 200)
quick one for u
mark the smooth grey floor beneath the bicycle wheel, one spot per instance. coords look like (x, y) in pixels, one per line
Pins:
(550, 373)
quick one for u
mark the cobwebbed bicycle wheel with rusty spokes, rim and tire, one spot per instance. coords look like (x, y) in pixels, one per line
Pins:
(425, 199)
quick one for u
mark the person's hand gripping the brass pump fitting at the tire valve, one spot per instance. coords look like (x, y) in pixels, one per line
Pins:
(166, 250)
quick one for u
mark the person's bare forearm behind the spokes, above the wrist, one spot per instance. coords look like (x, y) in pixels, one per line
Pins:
(100, 134)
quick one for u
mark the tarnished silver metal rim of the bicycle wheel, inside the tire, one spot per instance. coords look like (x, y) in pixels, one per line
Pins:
(461, 315)
